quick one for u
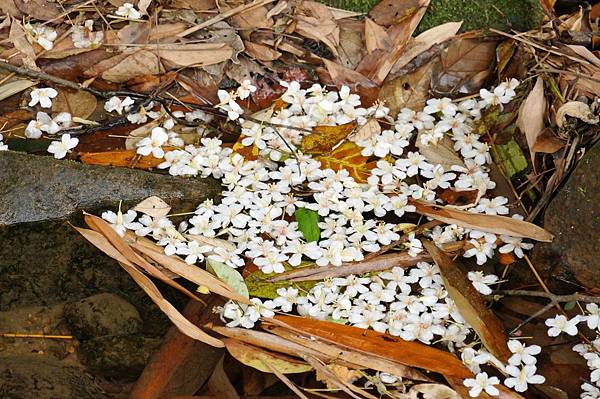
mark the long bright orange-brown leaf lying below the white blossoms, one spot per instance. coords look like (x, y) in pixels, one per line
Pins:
(381, 345)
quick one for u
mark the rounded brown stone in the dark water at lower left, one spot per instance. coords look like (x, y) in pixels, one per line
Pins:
(102, 315)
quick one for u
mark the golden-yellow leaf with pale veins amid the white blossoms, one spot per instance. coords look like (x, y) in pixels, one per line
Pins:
(347, 156)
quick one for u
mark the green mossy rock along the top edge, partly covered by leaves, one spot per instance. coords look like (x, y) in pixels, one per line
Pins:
(504, 15)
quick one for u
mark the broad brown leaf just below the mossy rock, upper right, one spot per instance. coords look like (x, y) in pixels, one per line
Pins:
(464, 66)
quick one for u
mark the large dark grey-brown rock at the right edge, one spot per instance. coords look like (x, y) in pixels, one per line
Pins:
(573, 217)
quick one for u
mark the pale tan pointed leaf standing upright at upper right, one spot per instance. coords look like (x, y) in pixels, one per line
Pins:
(531, 113)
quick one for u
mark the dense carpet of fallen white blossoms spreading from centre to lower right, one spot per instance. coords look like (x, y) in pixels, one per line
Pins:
(262, 195)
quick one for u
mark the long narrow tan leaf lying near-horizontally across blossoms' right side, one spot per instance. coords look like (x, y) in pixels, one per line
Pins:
(491, 223)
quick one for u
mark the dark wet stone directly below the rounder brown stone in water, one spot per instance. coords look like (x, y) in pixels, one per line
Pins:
(122, 358)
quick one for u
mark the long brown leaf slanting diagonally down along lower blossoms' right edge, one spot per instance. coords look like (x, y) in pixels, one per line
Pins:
(470, 303)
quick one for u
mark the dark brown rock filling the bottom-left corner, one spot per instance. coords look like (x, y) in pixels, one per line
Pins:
(32, 377)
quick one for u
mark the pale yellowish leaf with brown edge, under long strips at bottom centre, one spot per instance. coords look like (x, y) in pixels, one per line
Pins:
(256, 357)
